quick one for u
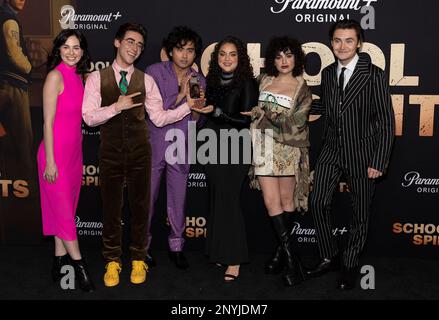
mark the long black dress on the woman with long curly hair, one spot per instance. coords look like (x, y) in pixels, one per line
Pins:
(226, 234)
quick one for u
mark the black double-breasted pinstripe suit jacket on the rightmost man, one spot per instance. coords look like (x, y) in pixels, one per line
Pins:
(359, 128)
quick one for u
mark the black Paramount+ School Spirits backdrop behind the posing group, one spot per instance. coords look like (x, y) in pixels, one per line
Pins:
(399, 39)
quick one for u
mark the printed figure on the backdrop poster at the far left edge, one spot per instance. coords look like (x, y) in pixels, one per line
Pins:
(16, 140)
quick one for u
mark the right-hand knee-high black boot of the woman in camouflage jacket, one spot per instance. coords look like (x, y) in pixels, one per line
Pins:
(294, 273)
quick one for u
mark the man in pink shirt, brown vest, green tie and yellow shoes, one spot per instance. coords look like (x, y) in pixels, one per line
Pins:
(116, 98)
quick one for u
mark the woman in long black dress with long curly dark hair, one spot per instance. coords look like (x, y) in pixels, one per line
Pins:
(231, 89)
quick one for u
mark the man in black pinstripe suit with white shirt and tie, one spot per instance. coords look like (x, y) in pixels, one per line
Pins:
(358, 138)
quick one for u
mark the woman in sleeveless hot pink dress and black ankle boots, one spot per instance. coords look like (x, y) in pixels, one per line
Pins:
(60, 152)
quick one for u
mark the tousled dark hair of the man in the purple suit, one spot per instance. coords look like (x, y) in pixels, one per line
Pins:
(179, 37)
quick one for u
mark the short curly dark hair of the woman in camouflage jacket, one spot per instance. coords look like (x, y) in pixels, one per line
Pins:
(284, 44)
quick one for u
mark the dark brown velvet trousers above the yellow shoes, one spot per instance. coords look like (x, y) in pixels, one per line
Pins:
(131, 165)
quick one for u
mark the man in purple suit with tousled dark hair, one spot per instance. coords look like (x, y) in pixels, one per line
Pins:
(182, 45)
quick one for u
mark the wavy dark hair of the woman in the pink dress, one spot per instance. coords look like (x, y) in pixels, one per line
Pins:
(54, 57)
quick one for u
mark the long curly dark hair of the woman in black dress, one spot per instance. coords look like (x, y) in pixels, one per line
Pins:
(244, 70)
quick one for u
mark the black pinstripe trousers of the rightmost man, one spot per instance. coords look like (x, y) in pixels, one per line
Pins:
(326, 178)
